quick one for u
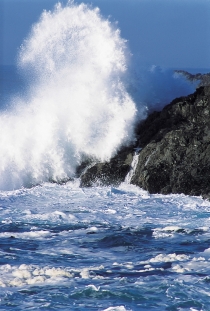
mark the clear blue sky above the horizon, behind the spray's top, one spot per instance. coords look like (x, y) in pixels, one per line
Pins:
(169, 33)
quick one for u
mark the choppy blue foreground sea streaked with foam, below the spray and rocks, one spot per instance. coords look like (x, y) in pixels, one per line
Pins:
(68, 248)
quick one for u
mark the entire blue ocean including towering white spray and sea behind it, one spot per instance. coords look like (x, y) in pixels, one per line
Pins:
(77, 93)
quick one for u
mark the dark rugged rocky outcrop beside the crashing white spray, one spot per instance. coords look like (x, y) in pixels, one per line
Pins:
(174, 154)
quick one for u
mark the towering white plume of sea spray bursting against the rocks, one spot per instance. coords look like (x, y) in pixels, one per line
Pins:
(77, 104)
